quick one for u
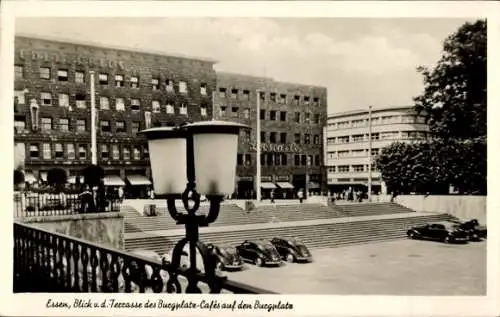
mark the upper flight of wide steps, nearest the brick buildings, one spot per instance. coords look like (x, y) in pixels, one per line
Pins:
(232, 214)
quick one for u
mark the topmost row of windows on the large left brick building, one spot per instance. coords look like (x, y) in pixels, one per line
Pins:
(103, 79)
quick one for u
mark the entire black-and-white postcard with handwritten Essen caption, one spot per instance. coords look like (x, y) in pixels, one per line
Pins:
(247, 155)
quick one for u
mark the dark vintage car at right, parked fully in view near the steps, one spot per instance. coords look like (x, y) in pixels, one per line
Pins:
(439, 231)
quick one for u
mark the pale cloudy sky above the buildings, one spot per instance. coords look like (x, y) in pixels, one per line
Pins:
(361, 61)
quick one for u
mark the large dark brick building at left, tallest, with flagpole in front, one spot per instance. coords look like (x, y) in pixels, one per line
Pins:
(134, 90)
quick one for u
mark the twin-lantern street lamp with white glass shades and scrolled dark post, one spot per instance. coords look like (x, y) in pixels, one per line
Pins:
(186, 162)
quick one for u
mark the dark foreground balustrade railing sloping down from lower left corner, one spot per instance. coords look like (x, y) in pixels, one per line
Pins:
(51, 262)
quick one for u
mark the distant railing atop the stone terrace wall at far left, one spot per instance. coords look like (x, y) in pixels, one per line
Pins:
(29, 204)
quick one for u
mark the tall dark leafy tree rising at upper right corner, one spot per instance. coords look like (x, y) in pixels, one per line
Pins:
(454, 98)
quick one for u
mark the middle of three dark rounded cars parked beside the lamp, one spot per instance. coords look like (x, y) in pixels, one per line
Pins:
(259, 252)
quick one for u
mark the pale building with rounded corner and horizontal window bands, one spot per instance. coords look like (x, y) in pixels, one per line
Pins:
(348, 147)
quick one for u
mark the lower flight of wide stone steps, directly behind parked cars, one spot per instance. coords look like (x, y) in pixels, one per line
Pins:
(314, 236)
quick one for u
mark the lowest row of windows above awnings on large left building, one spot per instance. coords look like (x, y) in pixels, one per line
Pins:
(68, 152)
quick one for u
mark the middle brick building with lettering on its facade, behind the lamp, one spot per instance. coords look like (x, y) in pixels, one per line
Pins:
(292, 117)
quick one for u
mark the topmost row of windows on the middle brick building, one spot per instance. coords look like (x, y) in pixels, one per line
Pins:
(244, 94)
